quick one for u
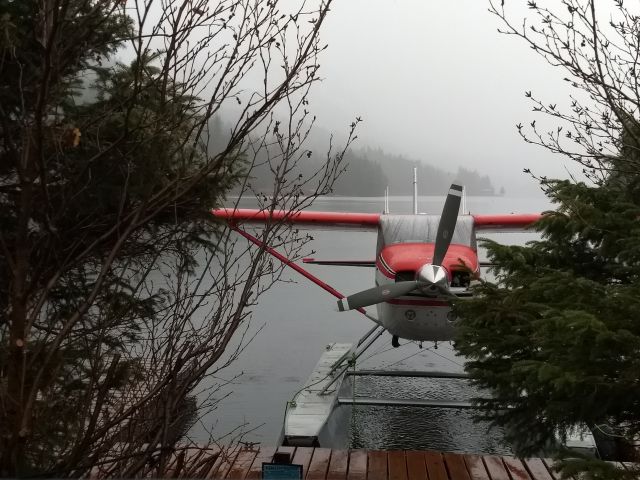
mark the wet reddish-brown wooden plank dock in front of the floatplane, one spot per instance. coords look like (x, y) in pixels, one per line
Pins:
(328, 464)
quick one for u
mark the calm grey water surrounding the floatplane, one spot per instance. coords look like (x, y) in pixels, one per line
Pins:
(295, 320)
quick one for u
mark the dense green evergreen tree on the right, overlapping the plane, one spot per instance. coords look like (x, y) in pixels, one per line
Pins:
(555, 340)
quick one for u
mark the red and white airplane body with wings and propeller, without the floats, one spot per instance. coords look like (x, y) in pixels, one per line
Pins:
(421, 261)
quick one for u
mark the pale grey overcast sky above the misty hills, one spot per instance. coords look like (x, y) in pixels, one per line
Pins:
(435, 81)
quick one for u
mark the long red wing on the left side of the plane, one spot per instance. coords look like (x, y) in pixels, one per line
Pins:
(242, 215)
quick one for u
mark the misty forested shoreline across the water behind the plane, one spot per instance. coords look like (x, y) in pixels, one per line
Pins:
(368, 171)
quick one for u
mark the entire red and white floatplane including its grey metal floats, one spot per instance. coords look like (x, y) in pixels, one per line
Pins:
(421, 263)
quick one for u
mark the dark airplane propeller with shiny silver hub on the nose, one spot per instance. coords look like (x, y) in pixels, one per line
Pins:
(431, 278)
